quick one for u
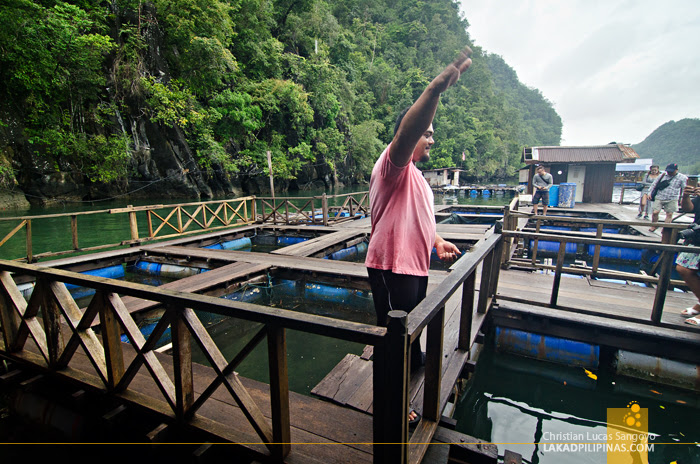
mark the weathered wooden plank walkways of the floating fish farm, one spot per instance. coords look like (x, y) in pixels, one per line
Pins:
(339, 425)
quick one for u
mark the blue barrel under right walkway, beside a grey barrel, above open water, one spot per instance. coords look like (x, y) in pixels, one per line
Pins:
(547, 348)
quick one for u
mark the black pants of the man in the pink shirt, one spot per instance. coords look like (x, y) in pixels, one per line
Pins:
(398, 292)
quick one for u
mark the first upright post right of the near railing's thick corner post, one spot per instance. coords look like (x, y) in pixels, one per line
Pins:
(433, 367)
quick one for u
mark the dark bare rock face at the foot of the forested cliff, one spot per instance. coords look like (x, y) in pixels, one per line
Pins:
(162, 164)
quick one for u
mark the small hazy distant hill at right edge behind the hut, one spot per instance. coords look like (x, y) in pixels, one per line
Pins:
(674, 142)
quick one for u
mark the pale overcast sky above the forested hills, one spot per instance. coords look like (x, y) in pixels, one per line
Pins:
(615, 70)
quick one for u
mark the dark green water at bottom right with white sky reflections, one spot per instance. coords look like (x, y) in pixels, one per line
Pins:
(526, 405)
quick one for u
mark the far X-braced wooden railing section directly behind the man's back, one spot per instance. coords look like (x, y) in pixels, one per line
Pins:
(313, 210)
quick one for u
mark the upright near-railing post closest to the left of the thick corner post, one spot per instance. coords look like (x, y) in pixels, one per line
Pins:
(279, 391)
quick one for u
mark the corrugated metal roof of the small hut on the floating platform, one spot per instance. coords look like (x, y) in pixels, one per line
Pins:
(617, 153)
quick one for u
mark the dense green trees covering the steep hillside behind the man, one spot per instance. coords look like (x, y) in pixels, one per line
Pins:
(316, 82)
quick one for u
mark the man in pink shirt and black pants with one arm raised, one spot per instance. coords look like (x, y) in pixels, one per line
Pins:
(403, 219)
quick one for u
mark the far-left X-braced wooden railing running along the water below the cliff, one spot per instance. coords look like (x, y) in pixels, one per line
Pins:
(163, 221)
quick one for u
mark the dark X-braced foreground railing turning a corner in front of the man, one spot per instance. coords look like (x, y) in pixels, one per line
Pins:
(58, 327)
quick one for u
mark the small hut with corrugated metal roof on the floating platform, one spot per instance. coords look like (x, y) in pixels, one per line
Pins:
(591, 168)
